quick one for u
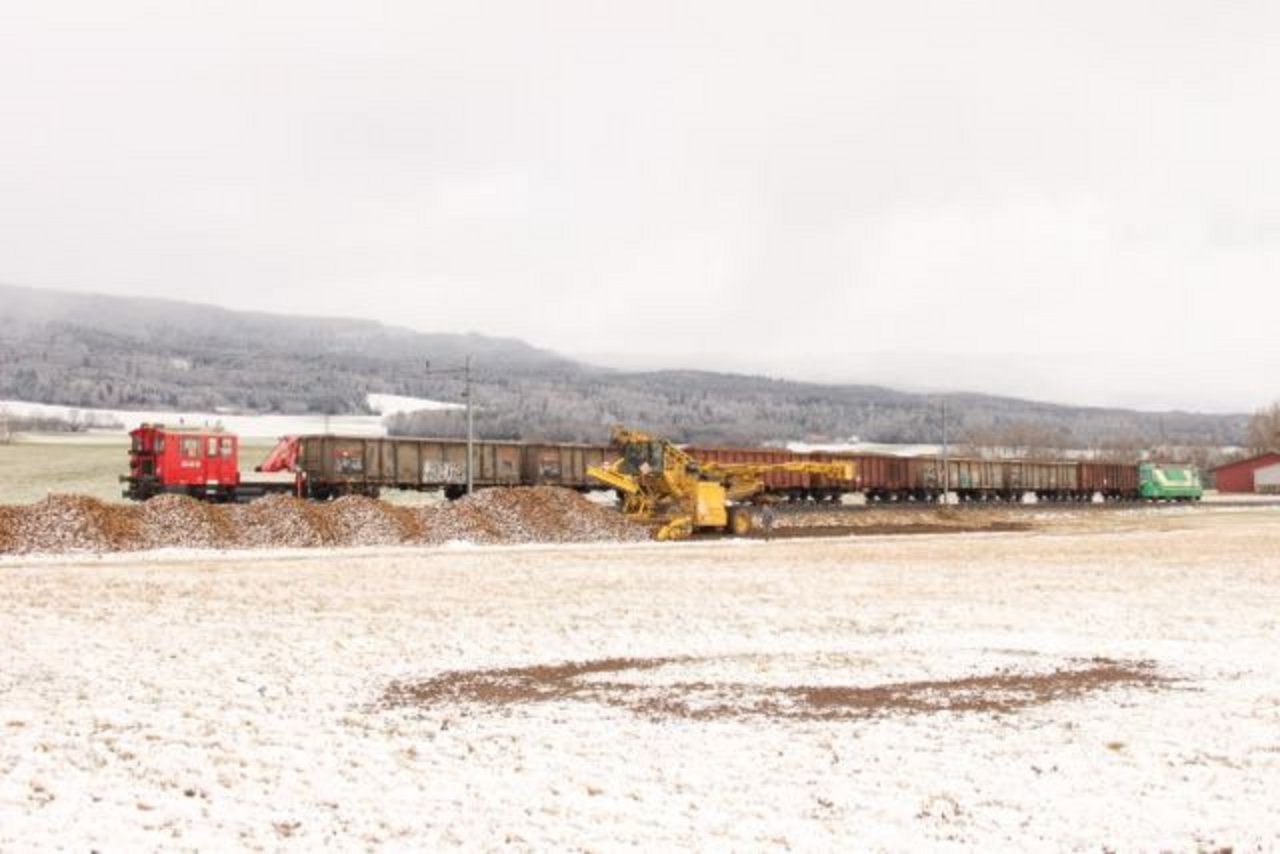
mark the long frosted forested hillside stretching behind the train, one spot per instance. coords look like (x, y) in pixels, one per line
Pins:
(85, 350)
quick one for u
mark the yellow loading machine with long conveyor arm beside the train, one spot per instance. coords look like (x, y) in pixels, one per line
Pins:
(668, 490)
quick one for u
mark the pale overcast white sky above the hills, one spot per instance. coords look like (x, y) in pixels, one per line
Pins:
(1072, 202)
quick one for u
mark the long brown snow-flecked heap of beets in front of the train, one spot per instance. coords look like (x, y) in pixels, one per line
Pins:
(516, 515)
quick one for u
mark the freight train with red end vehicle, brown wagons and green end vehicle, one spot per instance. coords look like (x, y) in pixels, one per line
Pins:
(205, 464)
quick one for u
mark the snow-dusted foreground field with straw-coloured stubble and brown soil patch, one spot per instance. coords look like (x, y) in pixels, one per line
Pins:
(173, 702)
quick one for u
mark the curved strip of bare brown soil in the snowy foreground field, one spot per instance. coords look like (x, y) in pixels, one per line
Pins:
(993, 693)
